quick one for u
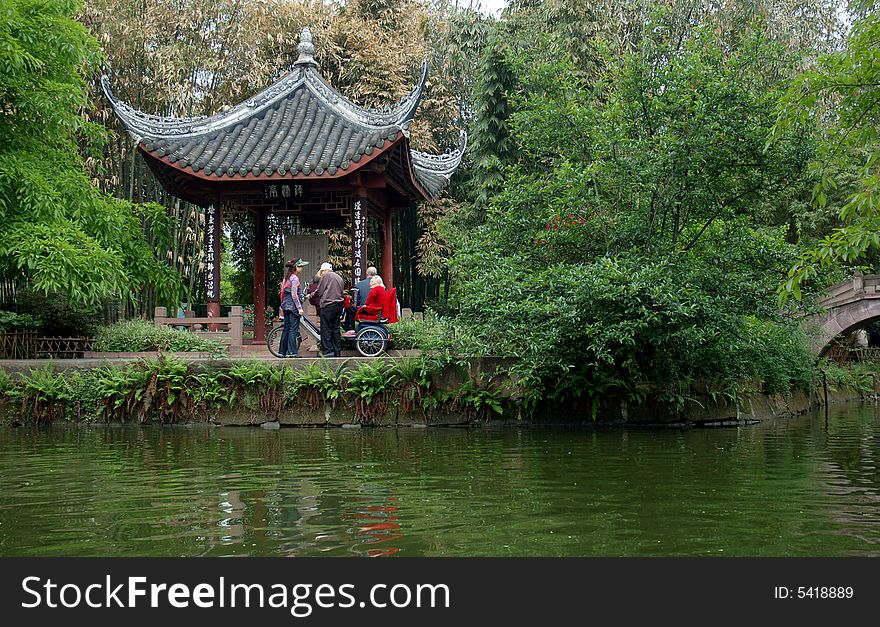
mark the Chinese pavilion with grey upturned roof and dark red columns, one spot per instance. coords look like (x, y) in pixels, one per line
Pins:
(297, 148)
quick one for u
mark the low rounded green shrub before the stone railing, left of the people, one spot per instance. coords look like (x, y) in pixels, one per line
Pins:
(140, 335)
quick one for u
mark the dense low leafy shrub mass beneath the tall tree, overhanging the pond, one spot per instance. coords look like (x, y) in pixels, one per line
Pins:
(608, 327)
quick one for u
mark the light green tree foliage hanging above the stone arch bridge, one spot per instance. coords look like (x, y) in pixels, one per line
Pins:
(841, 100)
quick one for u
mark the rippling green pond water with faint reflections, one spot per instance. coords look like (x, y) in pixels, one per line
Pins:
(789, 487)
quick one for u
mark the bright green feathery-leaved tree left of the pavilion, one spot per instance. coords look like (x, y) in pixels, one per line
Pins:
(58, 233)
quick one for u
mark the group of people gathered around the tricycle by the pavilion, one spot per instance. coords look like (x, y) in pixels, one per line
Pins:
(327, 295)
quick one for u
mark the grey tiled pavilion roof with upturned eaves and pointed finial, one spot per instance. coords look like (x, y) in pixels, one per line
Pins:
(300, 126)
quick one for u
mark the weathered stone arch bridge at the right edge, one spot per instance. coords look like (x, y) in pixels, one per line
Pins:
(847, 306)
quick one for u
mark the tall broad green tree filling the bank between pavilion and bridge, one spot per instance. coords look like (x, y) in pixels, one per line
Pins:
(632, 240)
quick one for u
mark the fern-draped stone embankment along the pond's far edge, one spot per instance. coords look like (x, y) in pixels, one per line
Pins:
(476, 392)
